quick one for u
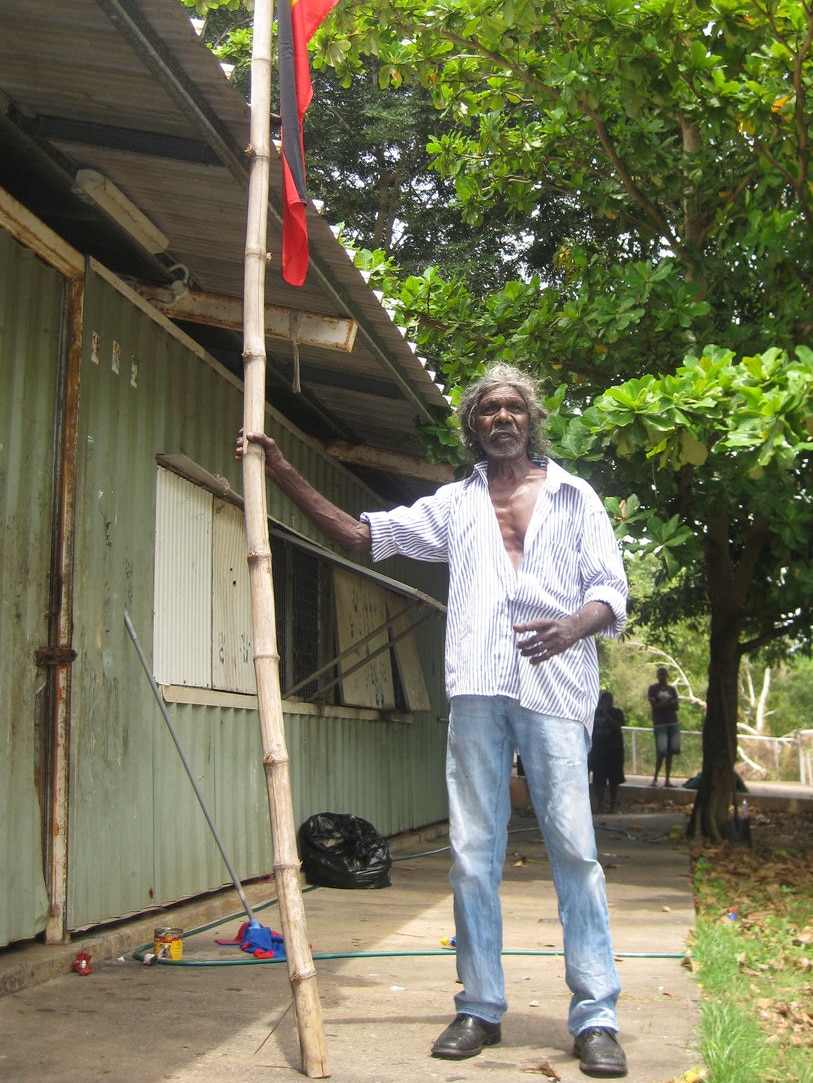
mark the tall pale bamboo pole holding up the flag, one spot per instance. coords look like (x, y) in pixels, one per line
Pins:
(301, 971)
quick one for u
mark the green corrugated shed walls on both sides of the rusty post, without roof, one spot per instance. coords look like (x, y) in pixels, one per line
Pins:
(137, 838)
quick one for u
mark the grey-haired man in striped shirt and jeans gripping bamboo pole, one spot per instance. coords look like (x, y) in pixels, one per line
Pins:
(535, 573)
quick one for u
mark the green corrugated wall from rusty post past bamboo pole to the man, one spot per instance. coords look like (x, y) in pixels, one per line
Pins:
(137, 834)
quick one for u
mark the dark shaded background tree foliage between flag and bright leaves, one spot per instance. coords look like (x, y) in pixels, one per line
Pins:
(371, 165)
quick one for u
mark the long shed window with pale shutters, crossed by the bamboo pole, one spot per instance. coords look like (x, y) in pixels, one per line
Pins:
(342, 638)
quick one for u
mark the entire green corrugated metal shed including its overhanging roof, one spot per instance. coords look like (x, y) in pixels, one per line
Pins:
(98, 819)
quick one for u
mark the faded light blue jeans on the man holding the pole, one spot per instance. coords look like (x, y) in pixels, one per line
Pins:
(484, 732)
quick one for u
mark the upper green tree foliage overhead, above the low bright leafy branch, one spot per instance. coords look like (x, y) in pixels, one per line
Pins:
(678, 134)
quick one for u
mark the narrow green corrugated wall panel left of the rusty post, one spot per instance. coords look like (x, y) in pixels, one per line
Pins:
(31, 306)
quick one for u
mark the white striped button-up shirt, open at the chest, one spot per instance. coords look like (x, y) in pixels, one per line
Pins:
(571, 557)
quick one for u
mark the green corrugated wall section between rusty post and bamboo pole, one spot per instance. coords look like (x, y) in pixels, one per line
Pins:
(138, 837)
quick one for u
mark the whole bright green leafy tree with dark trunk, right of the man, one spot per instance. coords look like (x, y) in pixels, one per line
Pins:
(684, 131)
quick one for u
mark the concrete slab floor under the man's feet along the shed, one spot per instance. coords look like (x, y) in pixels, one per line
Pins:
(224, 1017)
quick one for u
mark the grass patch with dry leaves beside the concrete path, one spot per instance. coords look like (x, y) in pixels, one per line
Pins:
(753, 954)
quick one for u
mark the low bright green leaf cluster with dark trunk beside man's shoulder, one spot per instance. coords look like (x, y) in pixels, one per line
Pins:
(728, 507)
